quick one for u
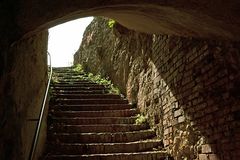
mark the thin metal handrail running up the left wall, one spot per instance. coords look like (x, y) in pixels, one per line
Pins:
(37, 131)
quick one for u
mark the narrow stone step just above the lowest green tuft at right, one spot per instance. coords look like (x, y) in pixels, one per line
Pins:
(106, 113)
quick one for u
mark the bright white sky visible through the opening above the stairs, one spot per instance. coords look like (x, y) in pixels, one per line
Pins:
(64, 40)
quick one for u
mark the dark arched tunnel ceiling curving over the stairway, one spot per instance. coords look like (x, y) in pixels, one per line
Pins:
(213, 19)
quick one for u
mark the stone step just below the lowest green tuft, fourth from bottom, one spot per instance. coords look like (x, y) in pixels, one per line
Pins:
(97, 128)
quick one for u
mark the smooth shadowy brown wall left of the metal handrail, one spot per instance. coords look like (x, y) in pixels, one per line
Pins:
(22, 82)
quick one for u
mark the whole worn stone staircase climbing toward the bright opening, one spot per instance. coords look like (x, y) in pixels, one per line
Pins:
(86, 122)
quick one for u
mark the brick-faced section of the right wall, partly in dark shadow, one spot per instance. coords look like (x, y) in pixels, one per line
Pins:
(199, 95)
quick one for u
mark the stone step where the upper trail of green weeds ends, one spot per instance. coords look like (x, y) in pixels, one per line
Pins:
(87, 96)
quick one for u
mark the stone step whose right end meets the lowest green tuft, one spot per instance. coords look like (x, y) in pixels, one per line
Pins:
(94, 120)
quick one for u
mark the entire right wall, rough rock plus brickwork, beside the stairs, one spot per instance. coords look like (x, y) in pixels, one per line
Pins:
(188, 88)
